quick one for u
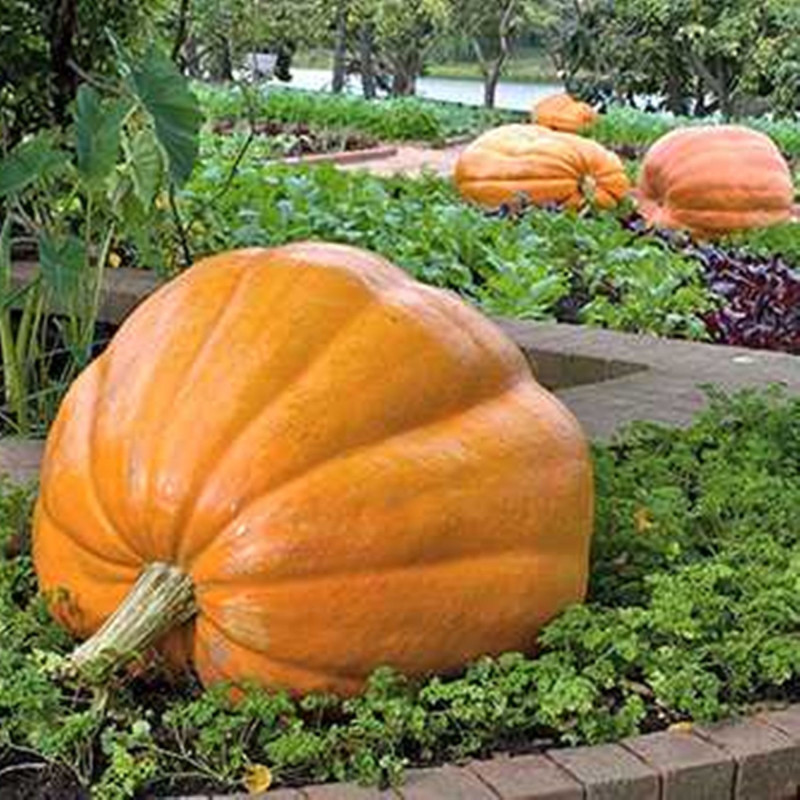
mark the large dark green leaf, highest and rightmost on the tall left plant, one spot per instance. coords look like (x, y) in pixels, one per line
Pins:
(165, 93)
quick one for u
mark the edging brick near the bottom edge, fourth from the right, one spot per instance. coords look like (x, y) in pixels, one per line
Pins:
(609, 772)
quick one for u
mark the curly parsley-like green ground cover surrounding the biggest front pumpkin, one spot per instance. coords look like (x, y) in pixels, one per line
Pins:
(692, 615)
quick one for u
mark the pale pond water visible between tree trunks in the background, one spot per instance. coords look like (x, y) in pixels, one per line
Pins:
(511, 95)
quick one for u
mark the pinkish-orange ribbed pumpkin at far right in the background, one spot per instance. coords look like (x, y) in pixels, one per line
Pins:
(715, 179)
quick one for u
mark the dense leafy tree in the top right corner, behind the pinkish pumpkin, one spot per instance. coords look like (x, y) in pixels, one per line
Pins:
(689, 56)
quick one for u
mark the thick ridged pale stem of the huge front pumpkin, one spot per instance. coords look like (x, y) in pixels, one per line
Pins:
(161, 598)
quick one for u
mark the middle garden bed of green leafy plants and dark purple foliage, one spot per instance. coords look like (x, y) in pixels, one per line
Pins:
(600, 269)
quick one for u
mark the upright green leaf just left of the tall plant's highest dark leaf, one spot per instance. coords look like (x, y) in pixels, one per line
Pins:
(97, 126)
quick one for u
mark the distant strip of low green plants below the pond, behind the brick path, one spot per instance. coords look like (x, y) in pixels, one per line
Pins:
(396, 119)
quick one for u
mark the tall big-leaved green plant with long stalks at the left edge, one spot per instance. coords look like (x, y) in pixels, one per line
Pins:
(74, 196)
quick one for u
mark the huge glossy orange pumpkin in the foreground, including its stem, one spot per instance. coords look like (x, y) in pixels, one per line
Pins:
(318, 466)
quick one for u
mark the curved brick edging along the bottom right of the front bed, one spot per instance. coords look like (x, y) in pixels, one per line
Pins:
(749, 758)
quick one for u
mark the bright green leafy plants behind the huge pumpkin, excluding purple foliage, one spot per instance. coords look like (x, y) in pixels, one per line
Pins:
(541, 265)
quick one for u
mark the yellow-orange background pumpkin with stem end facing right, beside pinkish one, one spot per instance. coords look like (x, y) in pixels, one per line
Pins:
(542, 165)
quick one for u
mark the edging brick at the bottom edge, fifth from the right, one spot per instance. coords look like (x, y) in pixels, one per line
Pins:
(532, 777)
